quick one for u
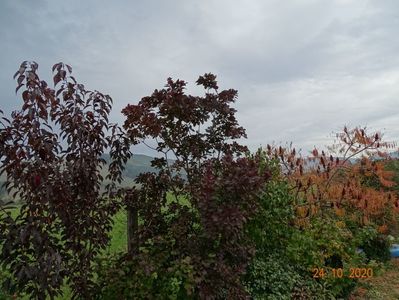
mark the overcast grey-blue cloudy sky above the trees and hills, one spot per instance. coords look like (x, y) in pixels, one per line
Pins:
(303, 68)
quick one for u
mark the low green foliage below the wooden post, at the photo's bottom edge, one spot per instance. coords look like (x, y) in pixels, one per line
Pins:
(147, 276)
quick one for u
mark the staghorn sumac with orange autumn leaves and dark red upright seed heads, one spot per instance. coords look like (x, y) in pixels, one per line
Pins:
(351, 180)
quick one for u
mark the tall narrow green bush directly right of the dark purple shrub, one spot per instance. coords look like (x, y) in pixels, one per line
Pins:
(270, 275)
